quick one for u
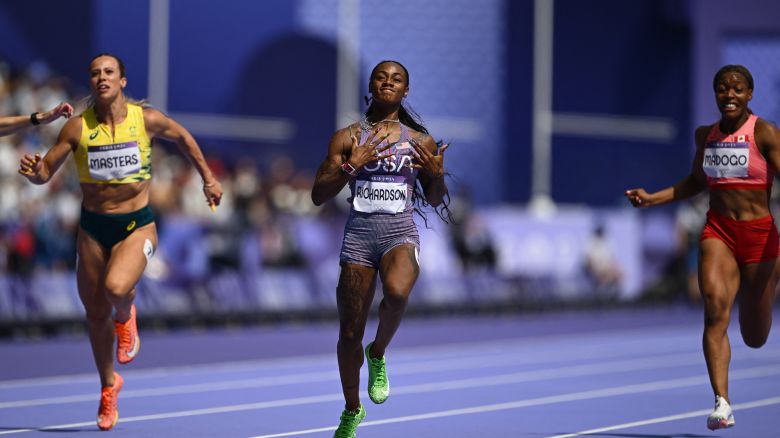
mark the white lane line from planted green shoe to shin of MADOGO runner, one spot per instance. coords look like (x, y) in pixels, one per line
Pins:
(575, 396)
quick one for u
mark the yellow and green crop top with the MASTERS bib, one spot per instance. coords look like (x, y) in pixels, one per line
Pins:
(121, 159)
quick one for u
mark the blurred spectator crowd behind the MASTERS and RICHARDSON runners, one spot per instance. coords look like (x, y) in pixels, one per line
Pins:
(266, 219)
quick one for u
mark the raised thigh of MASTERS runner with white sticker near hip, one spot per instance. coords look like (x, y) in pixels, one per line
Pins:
(130, 256)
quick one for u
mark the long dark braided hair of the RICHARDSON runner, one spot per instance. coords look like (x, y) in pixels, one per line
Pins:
(410, 118)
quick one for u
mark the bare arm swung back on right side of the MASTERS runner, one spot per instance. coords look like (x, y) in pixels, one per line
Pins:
(159, 125)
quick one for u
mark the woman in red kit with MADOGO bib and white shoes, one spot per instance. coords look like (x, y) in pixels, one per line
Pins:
(736, 158)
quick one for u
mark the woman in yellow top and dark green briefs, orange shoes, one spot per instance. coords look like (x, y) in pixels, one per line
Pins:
(111, 143)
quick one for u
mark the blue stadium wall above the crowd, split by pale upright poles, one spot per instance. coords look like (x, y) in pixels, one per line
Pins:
(469, 61)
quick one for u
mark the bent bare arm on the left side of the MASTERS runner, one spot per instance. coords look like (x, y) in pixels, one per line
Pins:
(40, 170)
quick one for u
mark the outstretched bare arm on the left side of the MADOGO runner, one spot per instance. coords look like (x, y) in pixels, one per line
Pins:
(693, 184)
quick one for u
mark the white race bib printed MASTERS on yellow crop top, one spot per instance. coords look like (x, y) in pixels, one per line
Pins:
(114, 161)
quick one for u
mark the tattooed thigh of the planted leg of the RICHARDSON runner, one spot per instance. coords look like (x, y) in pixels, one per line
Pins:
(355, 291)
